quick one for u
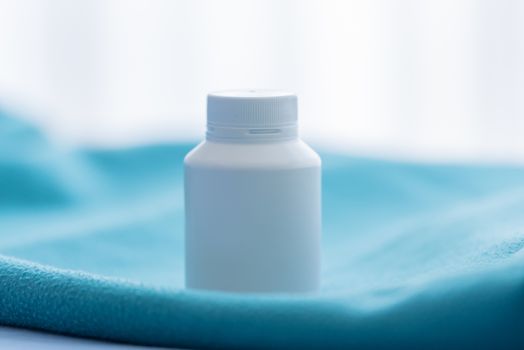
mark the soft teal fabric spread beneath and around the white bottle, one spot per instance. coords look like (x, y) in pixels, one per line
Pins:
(415, 255)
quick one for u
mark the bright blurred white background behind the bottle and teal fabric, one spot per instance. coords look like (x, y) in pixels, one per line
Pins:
(436, 80)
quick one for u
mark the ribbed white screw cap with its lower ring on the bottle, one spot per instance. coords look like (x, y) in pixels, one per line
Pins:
(251, 116)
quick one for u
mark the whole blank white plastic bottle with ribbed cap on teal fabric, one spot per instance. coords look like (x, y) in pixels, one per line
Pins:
(252, 198)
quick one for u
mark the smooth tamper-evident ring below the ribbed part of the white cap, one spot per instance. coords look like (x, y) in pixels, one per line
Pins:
(237, 134)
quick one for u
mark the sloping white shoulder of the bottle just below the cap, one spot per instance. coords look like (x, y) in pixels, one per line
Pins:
(281, 155)
